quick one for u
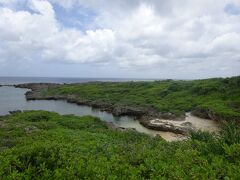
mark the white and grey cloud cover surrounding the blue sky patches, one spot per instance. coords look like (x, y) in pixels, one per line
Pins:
(145, 34)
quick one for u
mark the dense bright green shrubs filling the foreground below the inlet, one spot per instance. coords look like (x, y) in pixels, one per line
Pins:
(45, 145)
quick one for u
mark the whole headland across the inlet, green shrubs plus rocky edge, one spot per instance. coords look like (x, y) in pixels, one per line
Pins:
(216, 99)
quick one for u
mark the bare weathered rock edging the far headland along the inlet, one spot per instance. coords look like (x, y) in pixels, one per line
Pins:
(148, 118)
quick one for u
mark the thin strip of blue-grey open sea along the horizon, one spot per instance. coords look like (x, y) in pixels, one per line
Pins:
(60, 80)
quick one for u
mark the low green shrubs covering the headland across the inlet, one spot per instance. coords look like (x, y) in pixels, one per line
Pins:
(219, 96)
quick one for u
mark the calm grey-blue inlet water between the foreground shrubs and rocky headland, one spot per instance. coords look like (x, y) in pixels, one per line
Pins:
(14, 99)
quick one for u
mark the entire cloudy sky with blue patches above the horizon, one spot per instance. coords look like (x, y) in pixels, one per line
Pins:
(120, 39)
